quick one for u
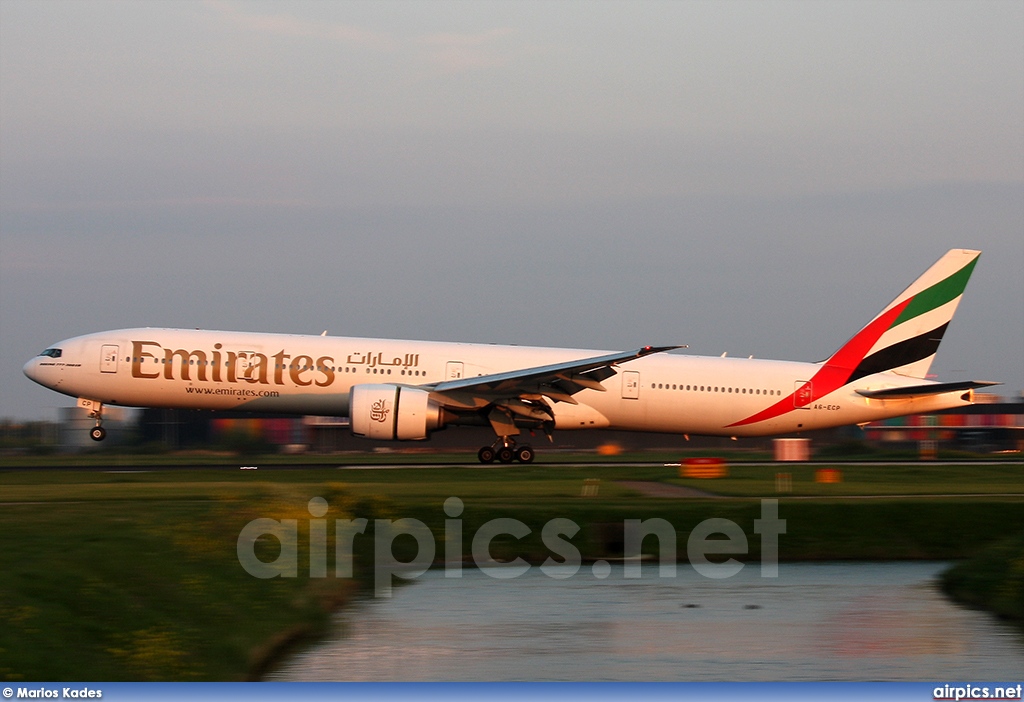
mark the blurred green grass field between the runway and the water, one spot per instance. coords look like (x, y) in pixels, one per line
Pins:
(113, 576)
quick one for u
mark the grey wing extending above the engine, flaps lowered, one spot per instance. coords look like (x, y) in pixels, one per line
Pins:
(524, 394)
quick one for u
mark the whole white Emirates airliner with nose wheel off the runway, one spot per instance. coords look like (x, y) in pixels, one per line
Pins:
(406, 390)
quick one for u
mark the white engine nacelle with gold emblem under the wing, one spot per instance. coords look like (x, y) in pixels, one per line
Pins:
(394, 413)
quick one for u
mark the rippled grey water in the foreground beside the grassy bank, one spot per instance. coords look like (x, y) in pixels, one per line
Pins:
(817, 622)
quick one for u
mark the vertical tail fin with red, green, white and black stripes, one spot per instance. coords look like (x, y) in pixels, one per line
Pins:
(905, 337)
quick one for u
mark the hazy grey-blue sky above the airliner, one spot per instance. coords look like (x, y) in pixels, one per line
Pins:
(757, 179)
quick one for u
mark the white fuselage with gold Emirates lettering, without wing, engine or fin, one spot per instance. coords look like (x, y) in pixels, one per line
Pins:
(304, 375)
